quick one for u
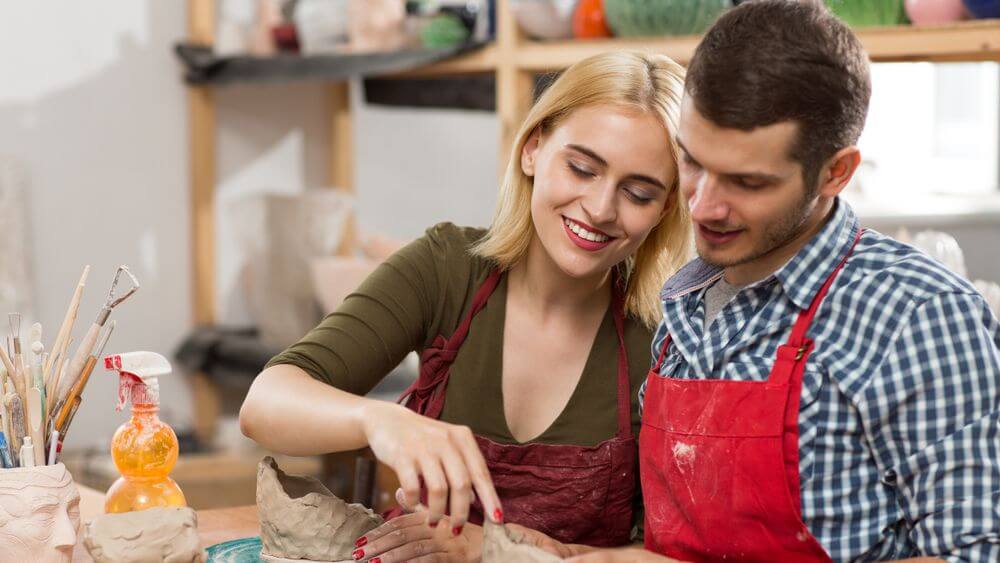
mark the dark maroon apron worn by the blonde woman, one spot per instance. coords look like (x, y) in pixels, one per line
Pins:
(574, 494)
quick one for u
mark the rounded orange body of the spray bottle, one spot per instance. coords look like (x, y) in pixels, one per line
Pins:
(144, 450)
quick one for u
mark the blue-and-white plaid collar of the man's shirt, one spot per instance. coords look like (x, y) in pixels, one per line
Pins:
(800, 278)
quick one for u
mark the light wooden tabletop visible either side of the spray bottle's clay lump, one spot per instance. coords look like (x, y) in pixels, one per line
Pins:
(214, 526)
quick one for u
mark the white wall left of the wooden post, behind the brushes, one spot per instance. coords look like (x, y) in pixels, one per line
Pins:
(91, 102)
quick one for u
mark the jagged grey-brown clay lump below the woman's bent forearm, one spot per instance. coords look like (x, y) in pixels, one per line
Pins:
(301, 519)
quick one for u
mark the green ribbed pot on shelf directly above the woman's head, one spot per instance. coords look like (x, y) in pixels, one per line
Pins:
(645, 18)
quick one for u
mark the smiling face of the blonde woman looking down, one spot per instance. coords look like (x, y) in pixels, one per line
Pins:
(600, 184)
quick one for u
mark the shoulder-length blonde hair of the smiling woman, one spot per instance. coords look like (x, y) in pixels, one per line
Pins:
(630, 79)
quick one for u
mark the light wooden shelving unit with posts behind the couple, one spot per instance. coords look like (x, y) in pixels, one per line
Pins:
(515, 61)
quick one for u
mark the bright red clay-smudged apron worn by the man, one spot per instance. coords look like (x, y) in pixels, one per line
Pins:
(719, 460)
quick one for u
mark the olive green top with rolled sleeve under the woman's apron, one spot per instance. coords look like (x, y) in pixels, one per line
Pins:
(423, 291)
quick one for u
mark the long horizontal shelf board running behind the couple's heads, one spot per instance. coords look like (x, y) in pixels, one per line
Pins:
(963, 41)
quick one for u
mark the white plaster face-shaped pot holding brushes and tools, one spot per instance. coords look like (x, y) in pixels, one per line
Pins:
(39, 514)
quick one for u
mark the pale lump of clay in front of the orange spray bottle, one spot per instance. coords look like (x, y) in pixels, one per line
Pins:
(156, 534)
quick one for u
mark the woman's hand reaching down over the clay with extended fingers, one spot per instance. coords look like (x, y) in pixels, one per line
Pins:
(445, 455)
